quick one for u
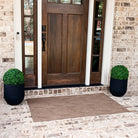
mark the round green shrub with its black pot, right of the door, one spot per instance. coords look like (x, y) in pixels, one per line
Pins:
(118, 82)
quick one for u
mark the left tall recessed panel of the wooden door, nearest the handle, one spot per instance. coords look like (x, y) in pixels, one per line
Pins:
(54, 43)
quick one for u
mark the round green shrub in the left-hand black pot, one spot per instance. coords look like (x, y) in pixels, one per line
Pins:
(13, 77)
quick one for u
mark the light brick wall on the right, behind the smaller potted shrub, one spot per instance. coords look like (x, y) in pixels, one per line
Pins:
(125, 39)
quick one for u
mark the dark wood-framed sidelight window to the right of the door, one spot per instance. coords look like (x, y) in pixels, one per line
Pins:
(97, 39)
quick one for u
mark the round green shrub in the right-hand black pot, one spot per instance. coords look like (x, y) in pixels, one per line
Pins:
(119, 72)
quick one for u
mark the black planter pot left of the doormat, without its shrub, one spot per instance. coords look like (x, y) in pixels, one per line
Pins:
(14, 94)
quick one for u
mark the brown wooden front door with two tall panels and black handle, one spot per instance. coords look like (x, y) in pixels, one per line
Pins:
(64, 40)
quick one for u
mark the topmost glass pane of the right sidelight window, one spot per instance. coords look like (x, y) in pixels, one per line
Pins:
(99, 9)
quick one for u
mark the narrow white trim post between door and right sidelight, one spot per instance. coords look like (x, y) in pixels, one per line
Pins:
(89, 42)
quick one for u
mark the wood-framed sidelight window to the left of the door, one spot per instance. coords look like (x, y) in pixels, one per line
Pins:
(29, 25)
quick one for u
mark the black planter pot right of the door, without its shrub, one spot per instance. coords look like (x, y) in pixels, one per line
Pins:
(118, 87)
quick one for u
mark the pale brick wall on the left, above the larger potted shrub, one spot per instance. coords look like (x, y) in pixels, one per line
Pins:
(6, 37)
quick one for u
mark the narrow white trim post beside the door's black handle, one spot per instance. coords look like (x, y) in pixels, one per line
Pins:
(39, 38)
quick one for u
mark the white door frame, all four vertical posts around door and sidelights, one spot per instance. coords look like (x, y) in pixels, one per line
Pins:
(107, 50)
